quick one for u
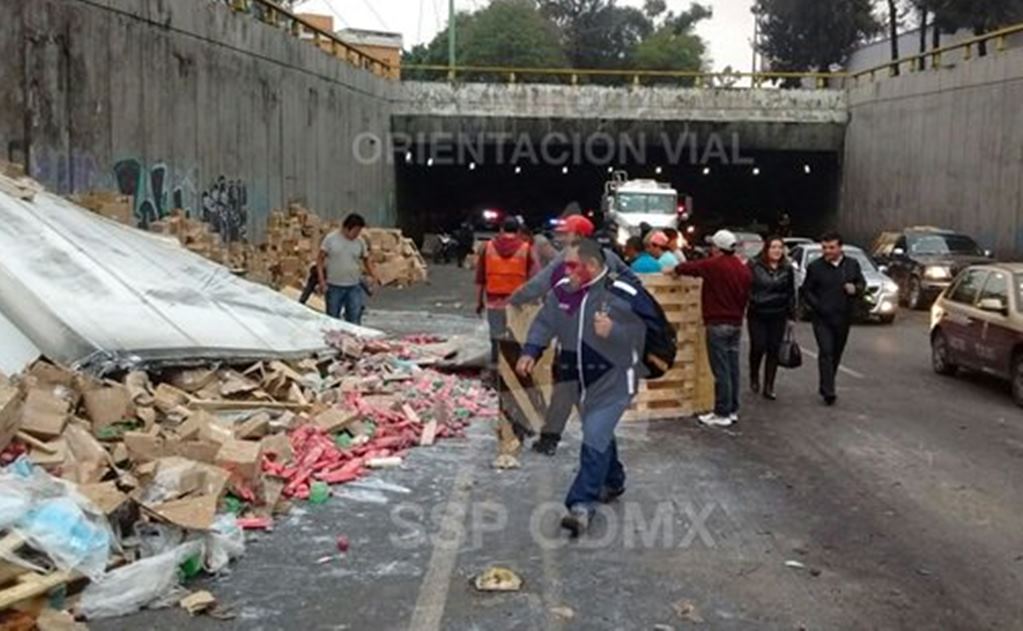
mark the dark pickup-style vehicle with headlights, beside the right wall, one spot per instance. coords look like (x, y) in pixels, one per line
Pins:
(924, 261)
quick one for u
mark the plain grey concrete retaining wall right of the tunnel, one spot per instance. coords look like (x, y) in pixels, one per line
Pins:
(940, 148)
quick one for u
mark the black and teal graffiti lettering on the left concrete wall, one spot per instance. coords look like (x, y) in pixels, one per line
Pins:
(157, 192)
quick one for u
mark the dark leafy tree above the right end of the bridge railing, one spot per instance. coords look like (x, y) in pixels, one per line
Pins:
(812, 35)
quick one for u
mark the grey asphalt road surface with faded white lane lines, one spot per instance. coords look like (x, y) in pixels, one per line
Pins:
(897, 510)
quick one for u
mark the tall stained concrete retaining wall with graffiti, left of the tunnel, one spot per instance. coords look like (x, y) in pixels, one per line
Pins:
(187, 103)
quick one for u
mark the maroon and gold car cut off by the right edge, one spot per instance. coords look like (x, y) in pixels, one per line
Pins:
(977, 324)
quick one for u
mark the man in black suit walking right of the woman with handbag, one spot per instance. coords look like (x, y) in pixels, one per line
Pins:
(834, 284)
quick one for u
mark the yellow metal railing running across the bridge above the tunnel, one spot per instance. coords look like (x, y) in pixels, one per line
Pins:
(636, 77)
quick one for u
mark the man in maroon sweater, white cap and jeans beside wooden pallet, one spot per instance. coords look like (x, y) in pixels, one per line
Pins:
(726, 296)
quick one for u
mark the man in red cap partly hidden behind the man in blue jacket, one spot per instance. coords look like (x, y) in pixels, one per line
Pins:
(565, 393)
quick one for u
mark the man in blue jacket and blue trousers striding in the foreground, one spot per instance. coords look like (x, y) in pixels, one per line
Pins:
(598, 322)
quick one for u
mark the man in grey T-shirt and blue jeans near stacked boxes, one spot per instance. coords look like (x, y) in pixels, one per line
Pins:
(342, 262)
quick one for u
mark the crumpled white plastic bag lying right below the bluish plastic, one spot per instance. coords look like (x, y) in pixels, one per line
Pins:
(132, 588)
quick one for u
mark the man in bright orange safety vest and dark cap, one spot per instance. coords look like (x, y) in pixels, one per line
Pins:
(507, 264)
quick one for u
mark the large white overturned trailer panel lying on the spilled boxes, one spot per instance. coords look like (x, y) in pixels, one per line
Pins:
(97, 295)
